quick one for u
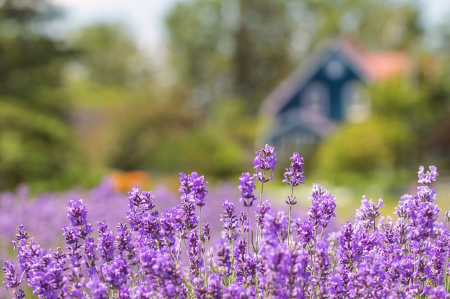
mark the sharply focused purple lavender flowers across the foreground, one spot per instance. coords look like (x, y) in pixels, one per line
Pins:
(166, 253)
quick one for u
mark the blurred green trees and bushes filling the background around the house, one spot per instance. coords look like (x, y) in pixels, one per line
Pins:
(78, 104)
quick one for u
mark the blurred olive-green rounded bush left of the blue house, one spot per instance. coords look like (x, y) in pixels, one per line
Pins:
(165, 140)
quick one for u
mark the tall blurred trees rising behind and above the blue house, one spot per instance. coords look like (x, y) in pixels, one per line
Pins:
(245, 48)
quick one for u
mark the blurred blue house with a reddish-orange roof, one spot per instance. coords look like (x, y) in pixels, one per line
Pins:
(326, 90)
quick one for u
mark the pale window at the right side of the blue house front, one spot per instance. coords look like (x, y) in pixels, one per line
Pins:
(356, 102)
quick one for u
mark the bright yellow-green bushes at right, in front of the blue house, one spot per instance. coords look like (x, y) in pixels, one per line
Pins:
(400, 134)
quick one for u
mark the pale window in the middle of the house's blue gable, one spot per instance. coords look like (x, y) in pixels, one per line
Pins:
(316, 97)
